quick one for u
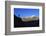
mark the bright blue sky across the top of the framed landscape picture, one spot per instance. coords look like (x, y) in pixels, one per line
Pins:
(22, 12)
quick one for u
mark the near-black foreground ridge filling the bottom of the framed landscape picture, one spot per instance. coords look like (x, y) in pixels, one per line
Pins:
(19, 23)
